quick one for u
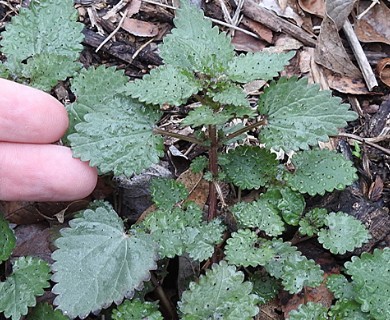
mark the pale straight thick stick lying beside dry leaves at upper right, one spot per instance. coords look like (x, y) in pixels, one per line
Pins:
(361, 58)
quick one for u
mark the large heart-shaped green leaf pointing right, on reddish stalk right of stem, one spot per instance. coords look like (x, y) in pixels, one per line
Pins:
(299, 115)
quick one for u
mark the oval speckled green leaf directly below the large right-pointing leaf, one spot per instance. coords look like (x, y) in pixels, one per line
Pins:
(318, 171)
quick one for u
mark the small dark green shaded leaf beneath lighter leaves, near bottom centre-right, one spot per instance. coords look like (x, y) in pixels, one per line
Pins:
(264, 286)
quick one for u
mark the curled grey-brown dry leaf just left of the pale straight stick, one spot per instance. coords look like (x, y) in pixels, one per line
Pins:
(330, 51)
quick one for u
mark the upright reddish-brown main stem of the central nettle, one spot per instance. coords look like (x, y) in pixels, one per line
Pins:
(213, 167)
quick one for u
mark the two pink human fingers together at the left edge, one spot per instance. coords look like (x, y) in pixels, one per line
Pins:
(32, 169)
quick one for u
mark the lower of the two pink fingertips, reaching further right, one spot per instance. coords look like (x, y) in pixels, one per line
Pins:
(32, 172)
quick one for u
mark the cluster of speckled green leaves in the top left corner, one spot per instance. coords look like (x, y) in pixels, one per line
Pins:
(42, 43)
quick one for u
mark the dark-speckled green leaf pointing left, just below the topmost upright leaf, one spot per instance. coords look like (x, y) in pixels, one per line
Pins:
(164, 85)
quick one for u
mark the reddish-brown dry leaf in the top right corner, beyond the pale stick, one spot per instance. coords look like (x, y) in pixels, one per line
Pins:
(374, 26)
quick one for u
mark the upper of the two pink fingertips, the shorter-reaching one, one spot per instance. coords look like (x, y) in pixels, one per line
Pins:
(29, 115)
